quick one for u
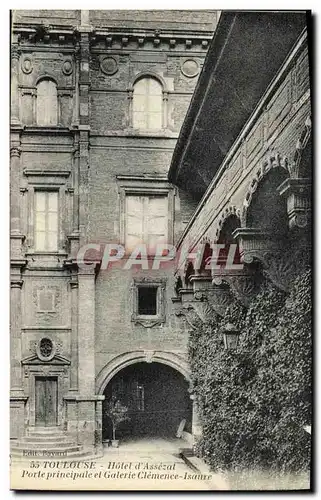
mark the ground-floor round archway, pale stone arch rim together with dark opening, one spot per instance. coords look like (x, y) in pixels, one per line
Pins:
(154, 385)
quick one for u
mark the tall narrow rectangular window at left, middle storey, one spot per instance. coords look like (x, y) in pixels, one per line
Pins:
(46, 221)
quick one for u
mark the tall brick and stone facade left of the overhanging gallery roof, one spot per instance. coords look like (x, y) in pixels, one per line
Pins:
(97, 102)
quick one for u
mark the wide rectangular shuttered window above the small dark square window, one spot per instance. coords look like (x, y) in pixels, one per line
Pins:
(146, 221)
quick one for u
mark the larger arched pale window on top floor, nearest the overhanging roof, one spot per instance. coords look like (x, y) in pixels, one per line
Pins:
(147, 104)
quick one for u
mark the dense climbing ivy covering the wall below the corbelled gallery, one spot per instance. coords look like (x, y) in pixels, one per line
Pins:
(254, 401)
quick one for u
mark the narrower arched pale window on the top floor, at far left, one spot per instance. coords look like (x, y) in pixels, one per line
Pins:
(47, 107)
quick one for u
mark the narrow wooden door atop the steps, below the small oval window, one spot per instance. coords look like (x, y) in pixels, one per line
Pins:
(46, 401)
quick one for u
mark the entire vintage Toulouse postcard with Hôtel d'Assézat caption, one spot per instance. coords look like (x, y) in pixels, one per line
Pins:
(160, 177)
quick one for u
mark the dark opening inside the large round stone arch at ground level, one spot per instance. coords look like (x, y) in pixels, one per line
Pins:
(157, 399)
